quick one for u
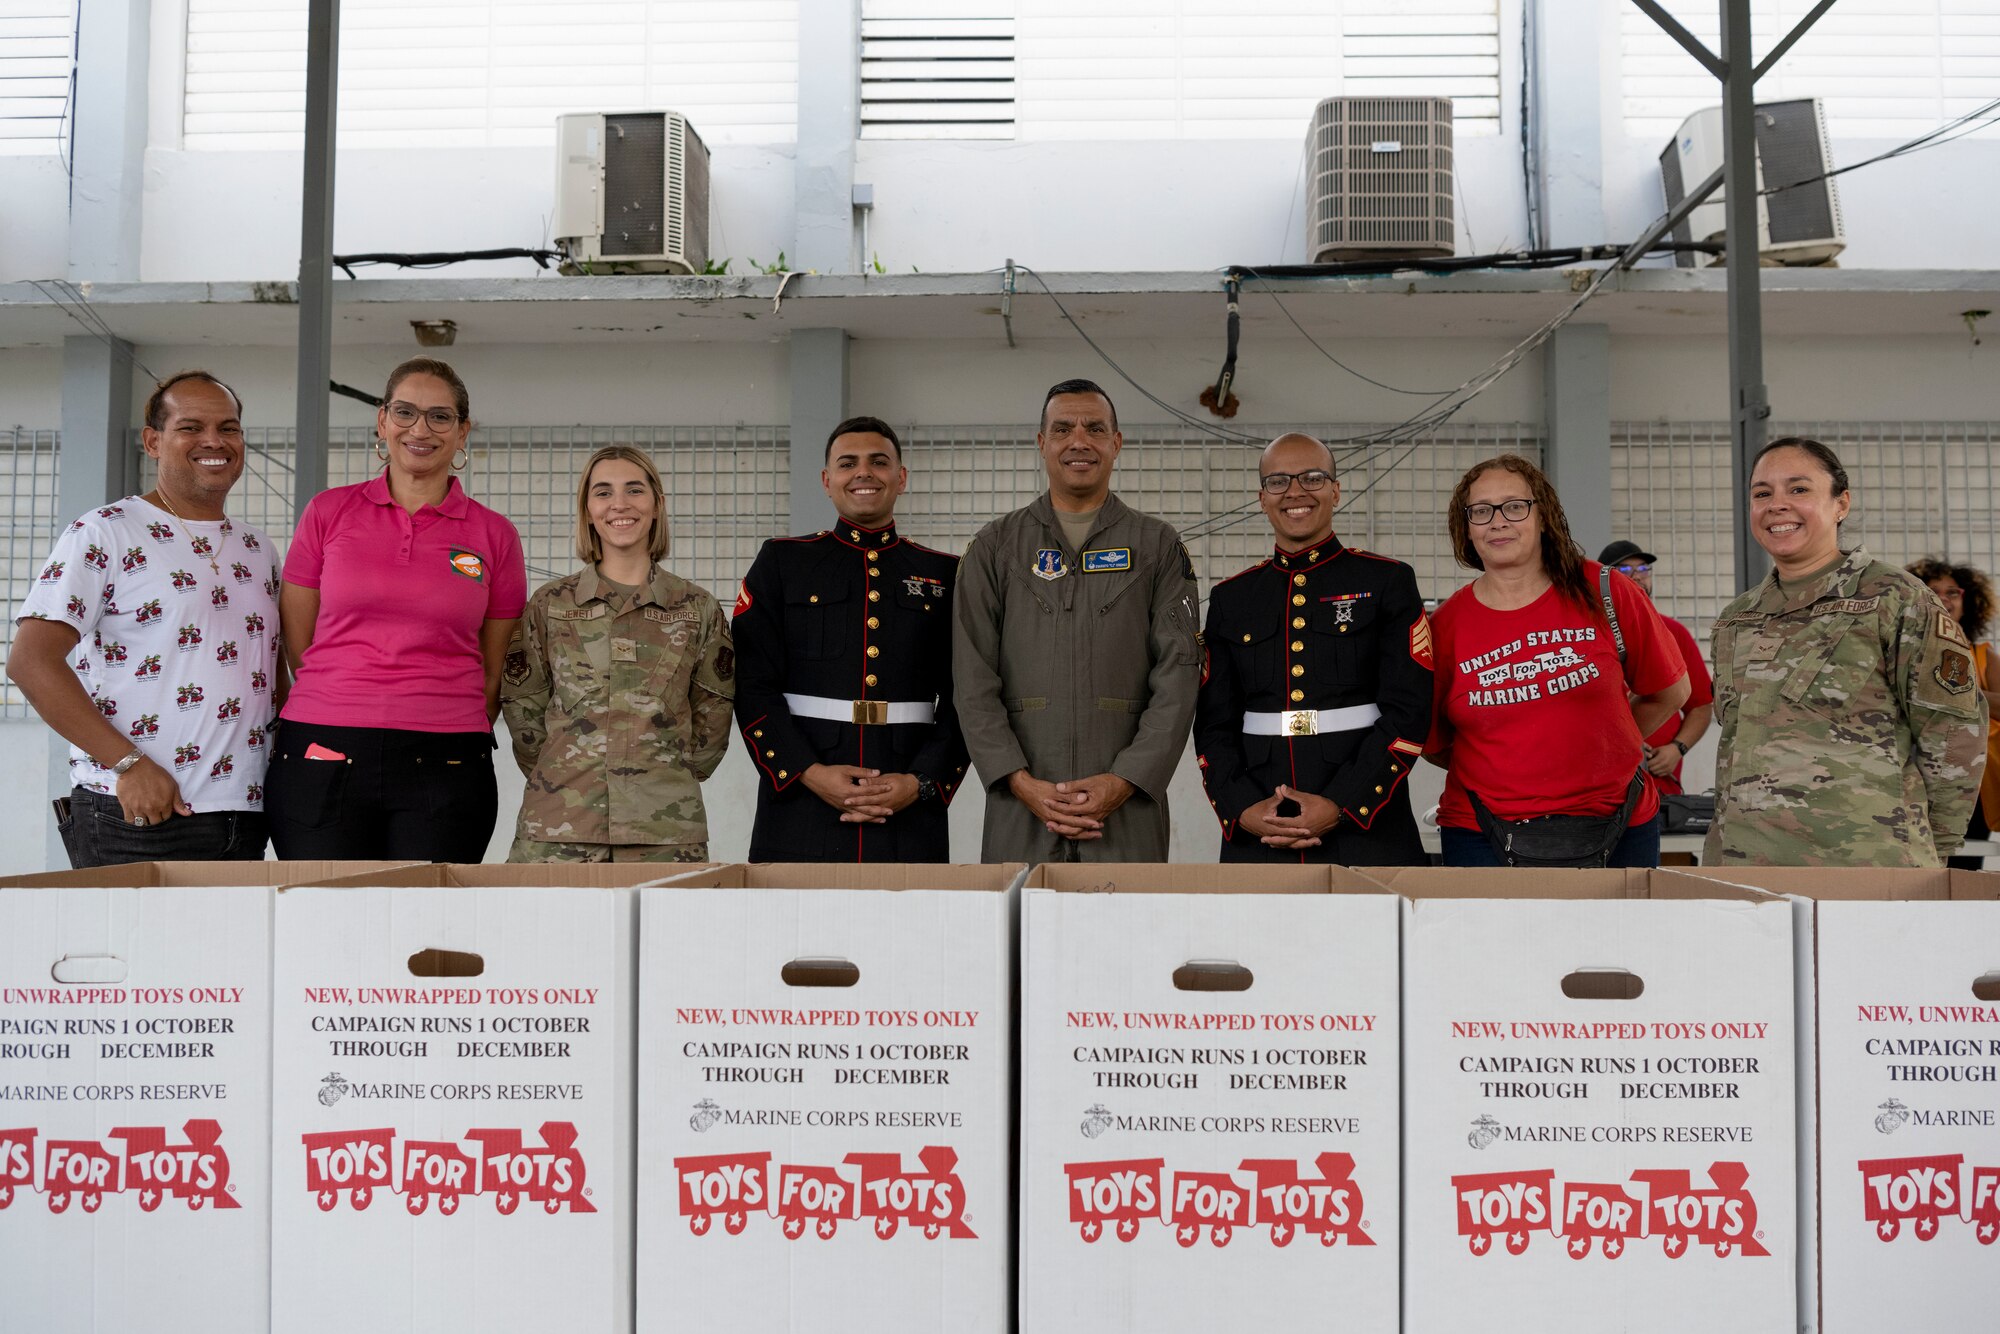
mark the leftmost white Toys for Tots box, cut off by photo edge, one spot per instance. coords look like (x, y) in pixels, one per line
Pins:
(135, 1099)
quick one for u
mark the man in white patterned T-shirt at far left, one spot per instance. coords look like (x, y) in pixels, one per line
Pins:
(175, 607)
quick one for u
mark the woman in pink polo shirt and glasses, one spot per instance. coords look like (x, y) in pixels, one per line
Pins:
(399, 601)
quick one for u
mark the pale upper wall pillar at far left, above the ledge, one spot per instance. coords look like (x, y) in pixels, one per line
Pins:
(109, 141)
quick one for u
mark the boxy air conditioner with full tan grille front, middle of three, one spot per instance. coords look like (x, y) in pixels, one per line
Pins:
(1381, 179)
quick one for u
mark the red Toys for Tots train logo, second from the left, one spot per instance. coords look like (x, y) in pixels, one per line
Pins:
(361, 1163)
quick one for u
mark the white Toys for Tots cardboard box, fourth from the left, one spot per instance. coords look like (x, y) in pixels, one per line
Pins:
(1209, 1101)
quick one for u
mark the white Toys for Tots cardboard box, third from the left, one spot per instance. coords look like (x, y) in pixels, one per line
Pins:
(827, 1099)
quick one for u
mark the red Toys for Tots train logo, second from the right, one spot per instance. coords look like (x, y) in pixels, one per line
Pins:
(1513, 1207)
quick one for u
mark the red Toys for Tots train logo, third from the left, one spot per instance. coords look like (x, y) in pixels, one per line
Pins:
(875, 1187)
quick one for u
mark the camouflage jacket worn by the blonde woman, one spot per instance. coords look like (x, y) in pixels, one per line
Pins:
(619, 713)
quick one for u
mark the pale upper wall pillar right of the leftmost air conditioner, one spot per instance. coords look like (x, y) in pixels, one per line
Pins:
(829, 119)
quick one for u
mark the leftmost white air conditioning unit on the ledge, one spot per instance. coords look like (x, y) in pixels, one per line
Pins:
(631, 195)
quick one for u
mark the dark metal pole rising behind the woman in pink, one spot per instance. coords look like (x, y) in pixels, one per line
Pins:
(317, 253)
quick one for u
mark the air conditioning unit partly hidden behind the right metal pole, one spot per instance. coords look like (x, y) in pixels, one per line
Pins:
(1797, 225)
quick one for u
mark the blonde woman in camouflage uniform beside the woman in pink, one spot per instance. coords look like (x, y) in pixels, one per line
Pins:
(619, 687)
